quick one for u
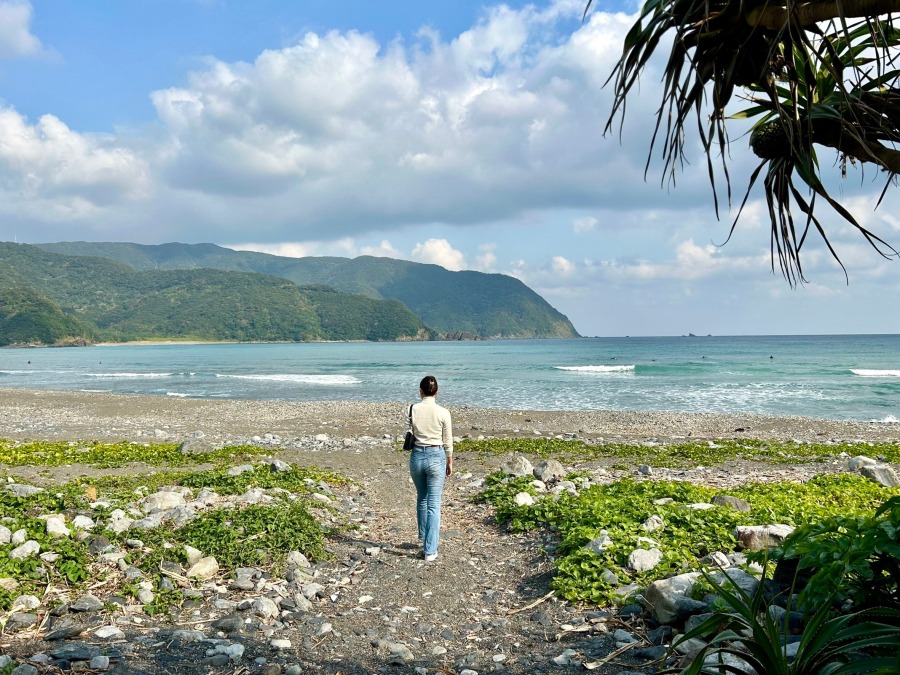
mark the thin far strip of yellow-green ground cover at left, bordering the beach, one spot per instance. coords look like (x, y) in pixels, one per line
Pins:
(109, 455)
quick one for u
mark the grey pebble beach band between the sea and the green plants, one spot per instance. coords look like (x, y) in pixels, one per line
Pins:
(49, 414)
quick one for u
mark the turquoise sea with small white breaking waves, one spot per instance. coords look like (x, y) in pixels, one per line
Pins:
(833, 377)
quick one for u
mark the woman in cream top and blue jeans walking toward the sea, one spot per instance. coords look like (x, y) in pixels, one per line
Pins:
(430, 462)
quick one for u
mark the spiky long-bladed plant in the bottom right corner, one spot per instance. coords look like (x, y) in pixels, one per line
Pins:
(742, 636)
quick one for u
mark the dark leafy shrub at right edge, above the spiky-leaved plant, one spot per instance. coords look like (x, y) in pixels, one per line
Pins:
(849, 557)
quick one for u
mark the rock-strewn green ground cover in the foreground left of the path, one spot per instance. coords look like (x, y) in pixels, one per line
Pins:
(254, 535)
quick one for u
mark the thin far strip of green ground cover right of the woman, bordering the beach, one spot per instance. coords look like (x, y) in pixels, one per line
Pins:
(681, 455)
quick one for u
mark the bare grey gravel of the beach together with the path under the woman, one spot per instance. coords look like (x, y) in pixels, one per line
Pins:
(483, 606)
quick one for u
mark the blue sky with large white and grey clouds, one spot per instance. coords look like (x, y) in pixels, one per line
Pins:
(464, 134)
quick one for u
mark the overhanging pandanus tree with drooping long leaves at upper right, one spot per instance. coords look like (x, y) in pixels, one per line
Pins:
(816, 77)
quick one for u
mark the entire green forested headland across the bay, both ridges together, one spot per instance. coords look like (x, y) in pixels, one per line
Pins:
(78, 293)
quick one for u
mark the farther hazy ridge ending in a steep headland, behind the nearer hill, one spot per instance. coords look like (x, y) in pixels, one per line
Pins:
(474, 304)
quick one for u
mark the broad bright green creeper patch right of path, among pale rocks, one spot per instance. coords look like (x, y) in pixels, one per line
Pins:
(621, 508)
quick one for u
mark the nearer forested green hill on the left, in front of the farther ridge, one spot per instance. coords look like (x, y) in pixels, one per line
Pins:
(48, 298)
